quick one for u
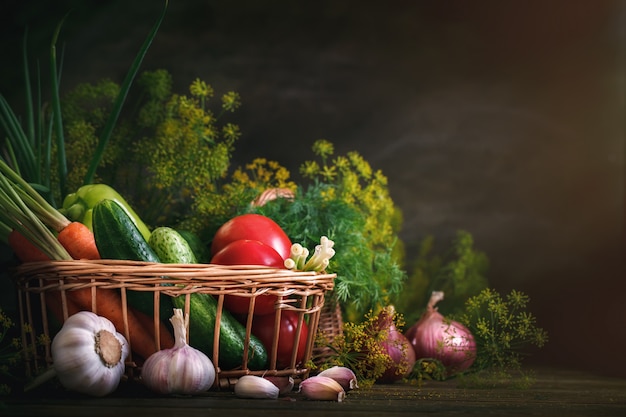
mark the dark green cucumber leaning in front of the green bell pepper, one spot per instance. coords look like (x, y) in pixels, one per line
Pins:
(117, 237)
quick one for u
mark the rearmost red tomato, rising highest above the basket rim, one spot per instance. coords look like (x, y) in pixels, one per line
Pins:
(252, 227)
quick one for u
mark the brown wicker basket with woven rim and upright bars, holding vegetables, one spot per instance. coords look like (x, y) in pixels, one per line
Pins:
(303, 292)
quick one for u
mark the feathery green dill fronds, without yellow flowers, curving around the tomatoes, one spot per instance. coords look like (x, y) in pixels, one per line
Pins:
(367, 277)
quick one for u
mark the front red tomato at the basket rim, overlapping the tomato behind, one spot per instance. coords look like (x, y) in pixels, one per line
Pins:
(248, 252)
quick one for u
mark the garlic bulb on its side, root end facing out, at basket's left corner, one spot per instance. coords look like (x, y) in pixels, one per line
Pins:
(89, 354)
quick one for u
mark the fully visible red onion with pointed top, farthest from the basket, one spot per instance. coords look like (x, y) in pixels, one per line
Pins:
(436, 337)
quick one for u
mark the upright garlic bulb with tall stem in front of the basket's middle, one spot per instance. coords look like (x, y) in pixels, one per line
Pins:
(181, 369)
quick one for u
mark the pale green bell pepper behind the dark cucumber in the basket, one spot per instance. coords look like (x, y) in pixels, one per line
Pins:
(79, 206)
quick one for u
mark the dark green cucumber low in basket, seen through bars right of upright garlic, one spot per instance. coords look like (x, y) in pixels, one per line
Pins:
(202, 314)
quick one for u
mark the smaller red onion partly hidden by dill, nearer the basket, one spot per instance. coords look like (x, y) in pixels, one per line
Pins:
(397, 346)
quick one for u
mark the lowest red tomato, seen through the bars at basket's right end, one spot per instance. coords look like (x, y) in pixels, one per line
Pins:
(263, 328)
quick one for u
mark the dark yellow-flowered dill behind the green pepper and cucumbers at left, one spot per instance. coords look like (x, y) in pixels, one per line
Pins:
(166, 156)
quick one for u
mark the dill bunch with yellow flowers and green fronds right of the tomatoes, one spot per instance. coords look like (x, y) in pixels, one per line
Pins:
(350, 204)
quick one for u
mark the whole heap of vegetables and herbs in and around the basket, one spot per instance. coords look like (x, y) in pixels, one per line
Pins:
(179, 202)
